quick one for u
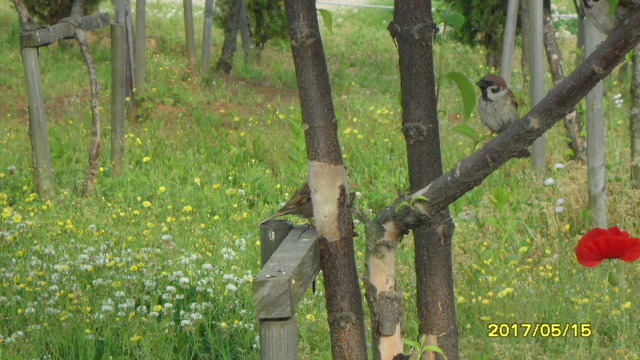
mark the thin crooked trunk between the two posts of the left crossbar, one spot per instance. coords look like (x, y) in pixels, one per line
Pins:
(94, 147)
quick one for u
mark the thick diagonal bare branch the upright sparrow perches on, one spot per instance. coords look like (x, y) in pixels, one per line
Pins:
(561, 99)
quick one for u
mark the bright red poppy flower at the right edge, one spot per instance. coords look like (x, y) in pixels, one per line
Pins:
(599, 244)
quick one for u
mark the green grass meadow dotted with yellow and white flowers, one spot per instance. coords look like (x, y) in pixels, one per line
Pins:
(158, 263)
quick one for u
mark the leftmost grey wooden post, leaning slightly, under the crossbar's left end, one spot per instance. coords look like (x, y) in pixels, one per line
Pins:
(37, 123)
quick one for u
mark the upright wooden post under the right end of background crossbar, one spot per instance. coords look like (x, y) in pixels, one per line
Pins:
(117, 97)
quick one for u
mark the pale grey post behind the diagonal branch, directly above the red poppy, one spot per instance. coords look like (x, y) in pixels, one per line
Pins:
(595, 139)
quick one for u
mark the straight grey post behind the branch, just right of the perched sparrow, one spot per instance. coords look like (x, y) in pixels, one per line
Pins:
(536, 90)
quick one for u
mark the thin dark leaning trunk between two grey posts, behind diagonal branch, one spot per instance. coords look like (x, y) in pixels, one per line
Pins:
(572, 124)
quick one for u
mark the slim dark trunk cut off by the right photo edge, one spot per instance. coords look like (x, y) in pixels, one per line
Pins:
(635, 119)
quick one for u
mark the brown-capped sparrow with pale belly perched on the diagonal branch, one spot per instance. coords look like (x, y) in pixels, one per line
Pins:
(498, 107)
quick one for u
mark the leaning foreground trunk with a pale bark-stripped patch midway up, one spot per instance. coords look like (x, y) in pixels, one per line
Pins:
(328, 184)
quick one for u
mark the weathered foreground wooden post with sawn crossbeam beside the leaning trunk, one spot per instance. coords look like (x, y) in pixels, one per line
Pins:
(281, 284)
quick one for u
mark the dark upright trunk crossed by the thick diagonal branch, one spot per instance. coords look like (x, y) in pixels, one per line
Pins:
(413, 26)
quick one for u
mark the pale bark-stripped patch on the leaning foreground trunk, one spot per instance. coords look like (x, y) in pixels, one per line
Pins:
(327, 183)
